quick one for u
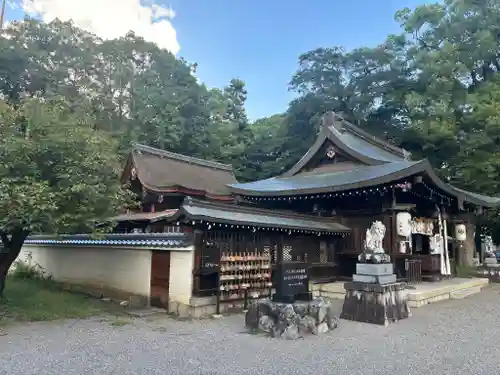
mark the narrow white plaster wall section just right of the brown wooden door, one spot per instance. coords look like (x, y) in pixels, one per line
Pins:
(181, 276)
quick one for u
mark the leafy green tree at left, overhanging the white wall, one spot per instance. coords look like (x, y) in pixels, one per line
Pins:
(57, 175)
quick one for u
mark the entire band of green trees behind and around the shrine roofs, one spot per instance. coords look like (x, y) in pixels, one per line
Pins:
(433, 89)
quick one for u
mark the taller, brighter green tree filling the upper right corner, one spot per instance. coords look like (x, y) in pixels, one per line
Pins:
(453, 51)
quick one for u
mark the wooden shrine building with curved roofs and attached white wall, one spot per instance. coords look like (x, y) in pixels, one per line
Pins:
(201, 239)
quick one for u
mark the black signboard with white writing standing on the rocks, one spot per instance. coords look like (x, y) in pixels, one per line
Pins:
(292, 281)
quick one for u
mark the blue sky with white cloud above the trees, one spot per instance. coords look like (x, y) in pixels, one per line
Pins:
(258, 41)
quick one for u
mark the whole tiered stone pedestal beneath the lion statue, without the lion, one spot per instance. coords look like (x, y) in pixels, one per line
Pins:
(374, 296)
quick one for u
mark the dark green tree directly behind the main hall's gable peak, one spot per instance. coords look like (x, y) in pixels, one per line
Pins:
(366, 85)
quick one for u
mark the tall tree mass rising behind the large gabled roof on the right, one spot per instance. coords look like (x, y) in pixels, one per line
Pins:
(432, 89)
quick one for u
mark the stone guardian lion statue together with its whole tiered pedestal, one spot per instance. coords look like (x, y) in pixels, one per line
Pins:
(373, 295)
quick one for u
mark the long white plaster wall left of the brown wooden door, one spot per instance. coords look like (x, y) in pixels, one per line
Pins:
(127, 270)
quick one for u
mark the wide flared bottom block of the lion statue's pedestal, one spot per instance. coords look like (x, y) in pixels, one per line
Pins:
(375, 303)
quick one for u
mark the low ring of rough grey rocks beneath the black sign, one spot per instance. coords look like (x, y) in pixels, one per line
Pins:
(291, 321)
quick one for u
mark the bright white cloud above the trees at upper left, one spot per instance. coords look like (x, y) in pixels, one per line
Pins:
(111, 19)
